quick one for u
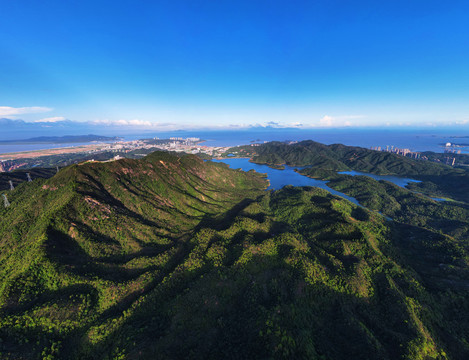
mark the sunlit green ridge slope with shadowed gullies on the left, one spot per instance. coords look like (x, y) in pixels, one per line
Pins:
(101, 232)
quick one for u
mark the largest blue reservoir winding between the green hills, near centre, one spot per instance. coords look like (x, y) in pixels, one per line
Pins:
(280, 178)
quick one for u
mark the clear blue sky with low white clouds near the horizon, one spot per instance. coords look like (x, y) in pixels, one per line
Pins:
(180, 64)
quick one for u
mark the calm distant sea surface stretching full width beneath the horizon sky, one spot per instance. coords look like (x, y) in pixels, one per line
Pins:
(414, 139)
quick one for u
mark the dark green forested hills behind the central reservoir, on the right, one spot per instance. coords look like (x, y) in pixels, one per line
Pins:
(437, 179)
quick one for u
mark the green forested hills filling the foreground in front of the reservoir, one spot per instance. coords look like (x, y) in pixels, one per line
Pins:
(170, 257)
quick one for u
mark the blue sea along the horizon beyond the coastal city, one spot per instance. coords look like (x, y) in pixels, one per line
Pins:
(414, 139)
